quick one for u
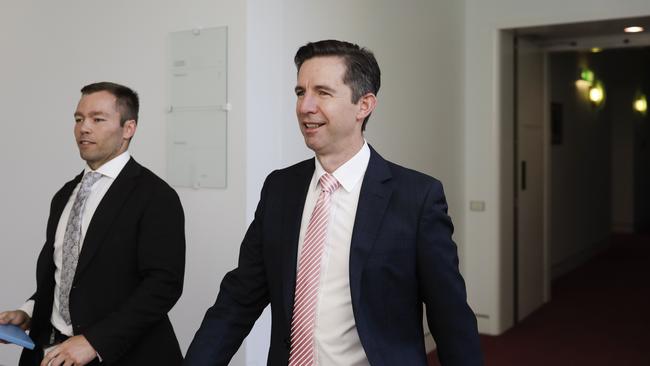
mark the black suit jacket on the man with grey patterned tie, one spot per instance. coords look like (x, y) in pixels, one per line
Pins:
(129, 274)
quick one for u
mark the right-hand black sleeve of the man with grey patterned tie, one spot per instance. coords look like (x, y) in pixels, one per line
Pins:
(161, 266)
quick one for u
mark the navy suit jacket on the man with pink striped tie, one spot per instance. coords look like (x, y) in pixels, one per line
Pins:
(401, 256)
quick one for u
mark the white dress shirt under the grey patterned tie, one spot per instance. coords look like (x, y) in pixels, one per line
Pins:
(109, 170)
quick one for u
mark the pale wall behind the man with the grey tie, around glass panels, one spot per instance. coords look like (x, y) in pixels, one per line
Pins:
(49, 51)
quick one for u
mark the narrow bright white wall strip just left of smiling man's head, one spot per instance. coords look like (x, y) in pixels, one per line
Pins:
(265, 98)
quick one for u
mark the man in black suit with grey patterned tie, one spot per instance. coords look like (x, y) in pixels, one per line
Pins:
(114, 257)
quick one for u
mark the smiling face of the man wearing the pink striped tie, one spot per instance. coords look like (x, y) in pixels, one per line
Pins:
(328, 120)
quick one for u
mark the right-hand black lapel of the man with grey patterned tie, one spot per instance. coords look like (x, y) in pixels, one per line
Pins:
(105, 214)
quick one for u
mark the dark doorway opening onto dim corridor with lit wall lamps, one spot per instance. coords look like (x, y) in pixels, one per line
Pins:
(568, 163)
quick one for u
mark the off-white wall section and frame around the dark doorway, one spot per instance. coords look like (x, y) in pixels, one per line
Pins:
(486, 234)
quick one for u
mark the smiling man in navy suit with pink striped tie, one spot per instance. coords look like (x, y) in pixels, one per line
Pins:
(386, 240)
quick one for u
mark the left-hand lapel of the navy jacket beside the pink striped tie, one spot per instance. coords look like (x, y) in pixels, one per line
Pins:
(295, 194)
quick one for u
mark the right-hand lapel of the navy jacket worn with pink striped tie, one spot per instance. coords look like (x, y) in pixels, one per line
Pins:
(375, 194)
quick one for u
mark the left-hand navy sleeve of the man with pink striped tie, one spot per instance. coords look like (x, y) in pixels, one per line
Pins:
(242, 298)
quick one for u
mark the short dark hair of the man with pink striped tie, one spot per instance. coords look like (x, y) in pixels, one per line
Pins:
(362, 73)
